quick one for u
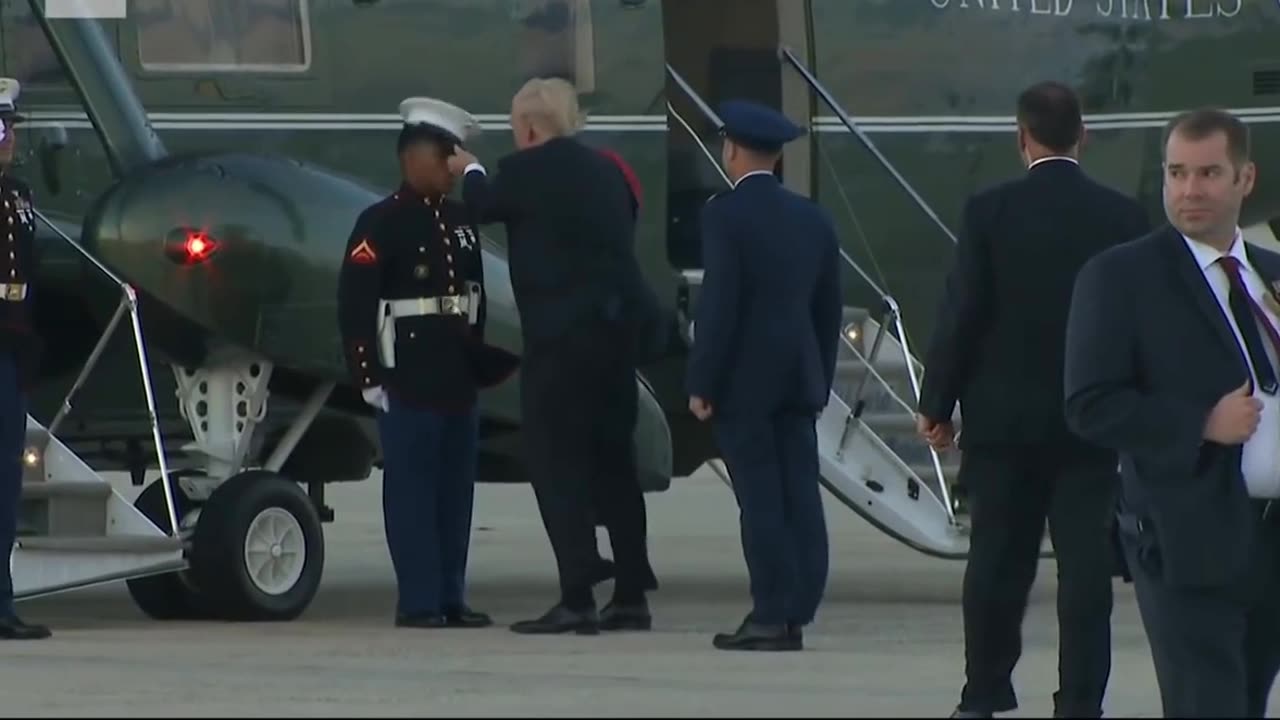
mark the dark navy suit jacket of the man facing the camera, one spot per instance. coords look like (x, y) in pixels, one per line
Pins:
(1150, 354)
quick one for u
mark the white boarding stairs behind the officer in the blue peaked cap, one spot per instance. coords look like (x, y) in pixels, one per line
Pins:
(860, 464)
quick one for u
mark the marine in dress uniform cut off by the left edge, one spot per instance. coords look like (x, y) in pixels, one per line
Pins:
(19, 349)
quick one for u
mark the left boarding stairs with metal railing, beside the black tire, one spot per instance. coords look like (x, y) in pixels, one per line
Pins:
(75, 528)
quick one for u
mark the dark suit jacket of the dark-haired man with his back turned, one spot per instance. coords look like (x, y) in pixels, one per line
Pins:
(999, 341)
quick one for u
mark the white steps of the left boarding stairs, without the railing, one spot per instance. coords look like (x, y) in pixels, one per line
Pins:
(75, 530)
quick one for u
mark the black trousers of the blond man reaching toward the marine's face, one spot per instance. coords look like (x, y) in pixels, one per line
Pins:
(579, 411)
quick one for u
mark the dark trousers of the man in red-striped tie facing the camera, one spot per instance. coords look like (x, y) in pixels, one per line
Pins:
(1217, 650)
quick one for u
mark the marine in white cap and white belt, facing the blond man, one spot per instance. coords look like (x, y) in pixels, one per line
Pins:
(413, 313)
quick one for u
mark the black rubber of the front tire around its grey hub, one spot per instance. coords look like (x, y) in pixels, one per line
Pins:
(218, 549)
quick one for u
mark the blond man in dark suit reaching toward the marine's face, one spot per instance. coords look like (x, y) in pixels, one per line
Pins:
(570, 226)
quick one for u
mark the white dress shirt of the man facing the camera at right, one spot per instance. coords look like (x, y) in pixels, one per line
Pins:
(1261, 457)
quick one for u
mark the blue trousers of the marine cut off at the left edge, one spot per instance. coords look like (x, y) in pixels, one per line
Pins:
(13, 435)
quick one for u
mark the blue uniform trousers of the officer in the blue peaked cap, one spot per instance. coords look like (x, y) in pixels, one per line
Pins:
(774, 467)
